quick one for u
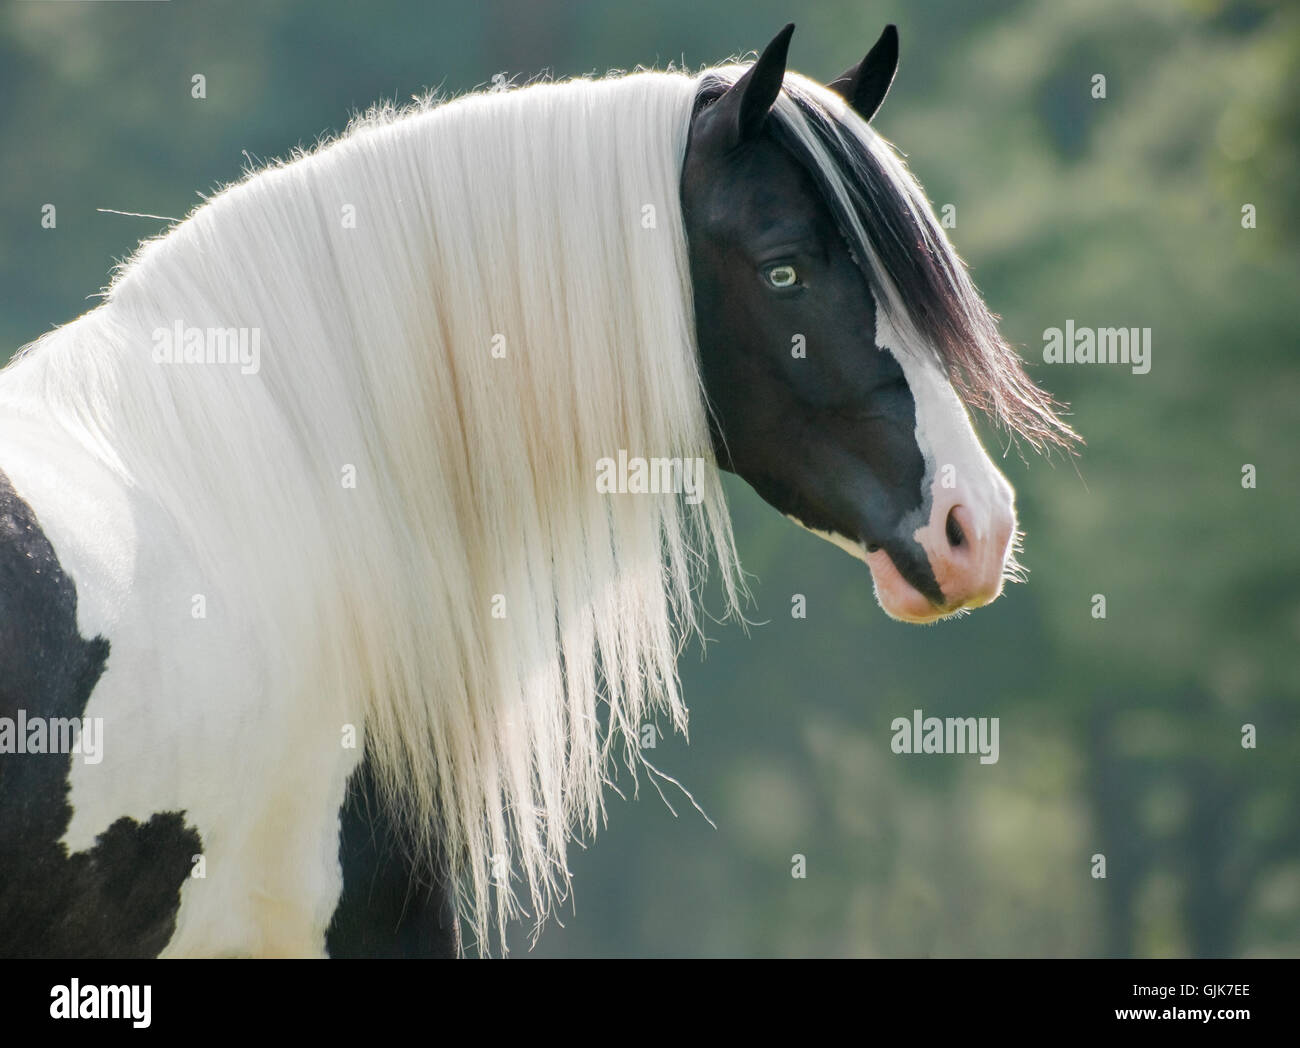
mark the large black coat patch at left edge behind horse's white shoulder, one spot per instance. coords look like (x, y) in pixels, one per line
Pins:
(119, 899)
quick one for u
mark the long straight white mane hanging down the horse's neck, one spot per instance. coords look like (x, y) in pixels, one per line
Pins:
(513, 214)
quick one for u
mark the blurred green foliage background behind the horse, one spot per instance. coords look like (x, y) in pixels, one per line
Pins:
(1119, 737)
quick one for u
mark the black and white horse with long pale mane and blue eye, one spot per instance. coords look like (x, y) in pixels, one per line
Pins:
(320, 631)
